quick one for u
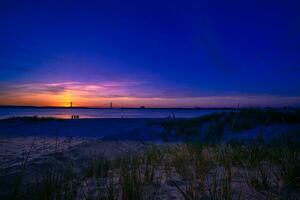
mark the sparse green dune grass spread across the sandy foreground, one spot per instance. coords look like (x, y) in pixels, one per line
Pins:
(206, 171)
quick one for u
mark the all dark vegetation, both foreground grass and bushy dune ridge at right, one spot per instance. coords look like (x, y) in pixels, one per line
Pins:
(195, 170)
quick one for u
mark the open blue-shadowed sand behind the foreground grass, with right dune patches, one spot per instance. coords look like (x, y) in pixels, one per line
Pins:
(40, 139)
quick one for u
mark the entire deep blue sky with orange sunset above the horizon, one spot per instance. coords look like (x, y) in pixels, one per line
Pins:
(204, 53)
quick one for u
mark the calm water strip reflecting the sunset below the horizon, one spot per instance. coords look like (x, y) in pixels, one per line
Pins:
(103, 113)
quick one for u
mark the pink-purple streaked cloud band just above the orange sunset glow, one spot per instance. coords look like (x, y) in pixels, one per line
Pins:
(108, 89)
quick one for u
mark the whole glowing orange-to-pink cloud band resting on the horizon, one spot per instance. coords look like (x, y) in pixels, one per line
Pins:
(129, 93)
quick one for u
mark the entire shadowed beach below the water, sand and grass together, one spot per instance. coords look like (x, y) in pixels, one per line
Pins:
(159, 157)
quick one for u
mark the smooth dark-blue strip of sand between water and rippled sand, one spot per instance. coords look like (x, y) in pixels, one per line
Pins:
(94, 128)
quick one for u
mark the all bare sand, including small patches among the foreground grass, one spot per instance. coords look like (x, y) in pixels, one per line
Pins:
(57, 142)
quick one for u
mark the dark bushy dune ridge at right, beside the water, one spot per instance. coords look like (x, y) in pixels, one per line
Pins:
(215, 125)
